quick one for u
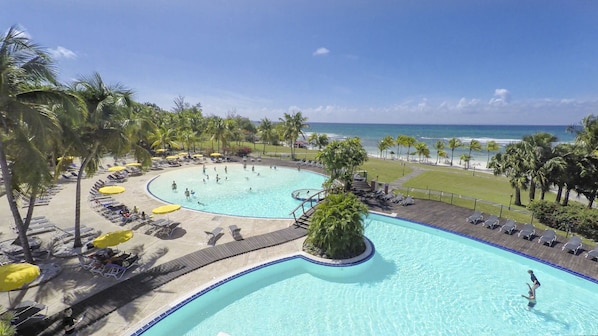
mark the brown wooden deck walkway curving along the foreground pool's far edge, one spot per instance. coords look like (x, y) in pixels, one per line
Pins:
(433, 213)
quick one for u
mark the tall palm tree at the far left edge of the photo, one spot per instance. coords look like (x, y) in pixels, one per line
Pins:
(27, 120)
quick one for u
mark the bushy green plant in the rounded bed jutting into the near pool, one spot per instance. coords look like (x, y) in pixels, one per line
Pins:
(336, 227)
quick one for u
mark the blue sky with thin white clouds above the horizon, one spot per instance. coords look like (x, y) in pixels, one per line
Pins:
(532, 62)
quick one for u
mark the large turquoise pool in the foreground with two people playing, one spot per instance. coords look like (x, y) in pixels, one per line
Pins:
(421, 281)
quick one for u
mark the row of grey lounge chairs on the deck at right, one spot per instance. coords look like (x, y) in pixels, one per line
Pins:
(528, 231)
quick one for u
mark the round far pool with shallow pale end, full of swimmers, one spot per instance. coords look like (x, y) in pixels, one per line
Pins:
(256, 191)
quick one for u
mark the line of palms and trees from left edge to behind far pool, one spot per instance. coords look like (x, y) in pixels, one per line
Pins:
(43, 121)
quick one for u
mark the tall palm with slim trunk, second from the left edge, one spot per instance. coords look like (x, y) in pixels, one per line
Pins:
(103, 130)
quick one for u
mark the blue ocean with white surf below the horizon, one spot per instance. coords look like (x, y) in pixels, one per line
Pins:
(371, 134)
